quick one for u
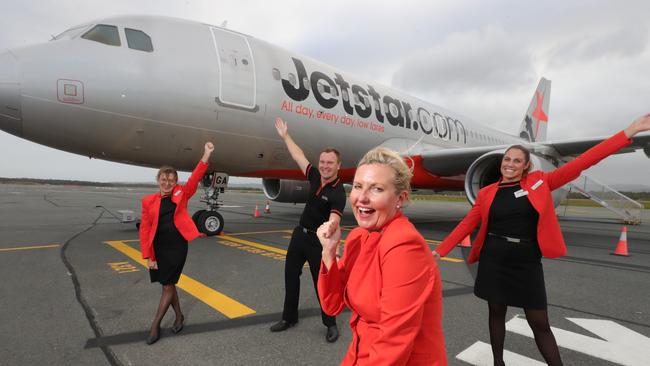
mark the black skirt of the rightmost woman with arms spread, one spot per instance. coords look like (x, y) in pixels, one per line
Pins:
(511, 274)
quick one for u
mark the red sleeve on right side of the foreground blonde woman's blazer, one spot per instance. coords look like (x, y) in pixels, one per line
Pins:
(406, 286)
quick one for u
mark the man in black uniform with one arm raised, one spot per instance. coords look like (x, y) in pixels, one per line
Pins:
(325, 203)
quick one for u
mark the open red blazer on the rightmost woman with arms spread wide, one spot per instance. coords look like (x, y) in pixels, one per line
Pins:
(539, 185)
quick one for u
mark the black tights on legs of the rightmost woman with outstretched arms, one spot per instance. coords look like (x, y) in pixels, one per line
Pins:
(538, 322)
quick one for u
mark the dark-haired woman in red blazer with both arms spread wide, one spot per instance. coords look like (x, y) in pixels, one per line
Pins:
(518, 226)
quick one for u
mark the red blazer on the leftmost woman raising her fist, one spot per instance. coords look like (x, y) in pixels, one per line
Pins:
(151, 208)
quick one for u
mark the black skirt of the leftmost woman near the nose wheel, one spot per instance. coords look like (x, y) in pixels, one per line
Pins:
(171, 252)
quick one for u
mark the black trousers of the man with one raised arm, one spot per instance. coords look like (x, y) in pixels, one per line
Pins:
(304, 247)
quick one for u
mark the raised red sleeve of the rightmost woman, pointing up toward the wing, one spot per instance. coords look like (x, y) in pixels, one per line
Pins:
(571, 170)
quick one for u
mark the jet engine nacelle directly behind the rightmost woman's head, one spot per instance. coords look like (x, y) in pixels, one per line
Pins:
(487, 169)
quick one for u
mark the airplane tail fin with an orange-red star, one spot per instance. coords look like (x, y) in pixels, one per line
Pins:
(533, 127)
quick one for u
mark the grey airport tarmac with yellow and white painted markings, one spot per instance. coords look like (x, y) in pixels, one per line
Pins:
(75, 291)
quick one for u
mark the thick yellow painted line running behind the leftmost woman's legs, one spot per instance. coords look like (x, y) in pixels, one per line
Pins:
(216, 300)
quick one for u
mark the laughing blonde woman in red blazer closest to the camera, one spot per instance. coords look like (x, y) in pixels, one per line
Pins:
(386, 276)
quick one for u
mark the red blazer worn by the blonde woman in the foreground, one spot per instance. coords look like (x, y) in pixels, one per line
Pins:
(392, 285)
